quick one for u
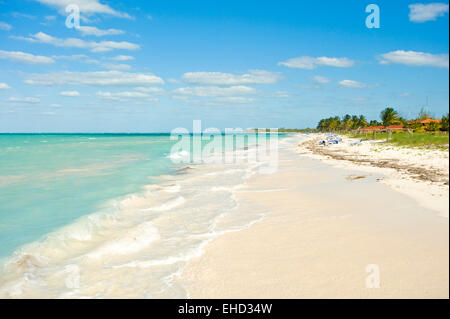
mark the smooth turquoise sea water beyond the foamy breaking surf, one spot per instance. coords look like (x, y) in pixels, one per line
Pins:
(47, 181)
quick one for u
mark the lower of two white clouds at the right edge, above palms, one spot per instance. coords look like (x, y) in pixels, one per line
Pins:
(413, 58)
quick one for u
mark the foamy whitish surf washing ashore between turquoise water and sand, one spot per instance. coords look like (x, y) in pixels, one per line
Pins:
(134, 245)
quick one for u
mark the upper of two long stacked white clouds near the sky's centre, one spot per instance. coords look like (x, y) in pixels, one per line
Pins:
(219, 78)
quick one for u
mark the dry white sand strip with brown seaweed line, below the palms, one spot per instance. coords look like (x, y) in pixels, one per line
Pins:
(422, 174)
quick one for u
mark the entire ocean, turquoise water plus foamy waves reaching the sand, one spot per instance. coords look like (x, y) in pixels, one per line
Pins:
(111, 215)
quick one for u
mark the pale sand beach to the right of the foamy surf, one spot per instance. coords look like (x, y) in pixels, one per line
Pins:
(329, 222)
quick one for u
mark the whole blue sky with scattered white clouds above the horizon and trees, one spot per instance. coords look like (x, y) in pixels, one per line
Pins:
(153, 66)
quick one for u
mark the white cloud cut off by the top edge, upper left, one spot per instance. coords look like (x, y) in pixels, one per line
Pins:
(86, 6)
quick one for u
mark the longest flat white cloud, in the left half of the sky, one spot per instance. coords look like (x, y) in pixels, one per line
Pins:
(101, 78)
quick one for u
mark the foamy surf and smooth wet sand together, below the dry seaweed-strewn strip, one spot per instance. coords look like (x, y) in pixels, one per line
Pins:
(306, 216)
